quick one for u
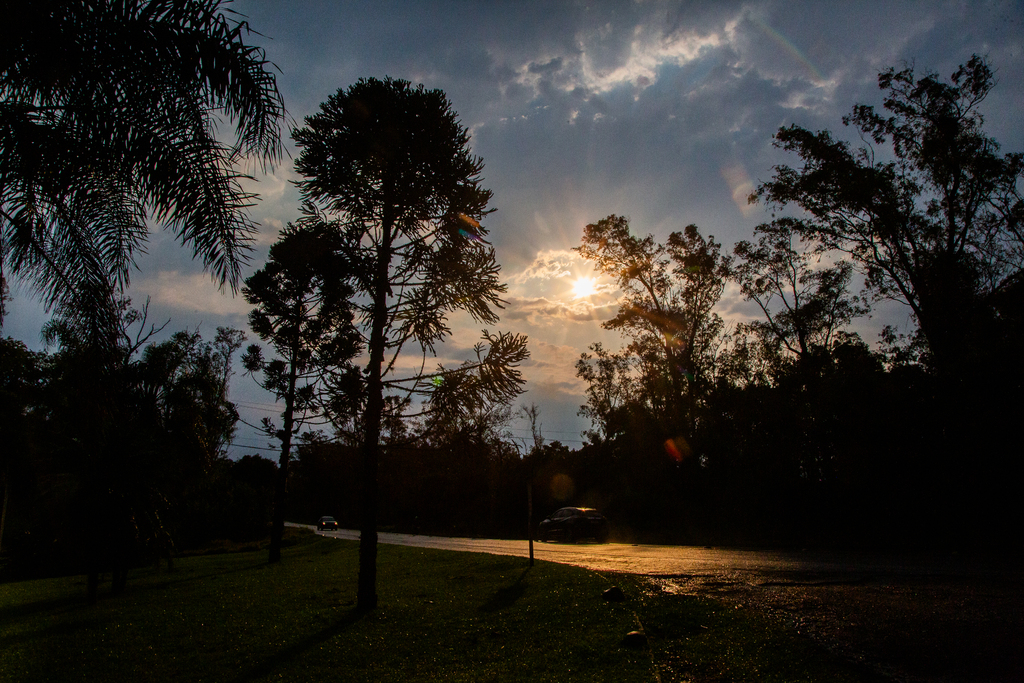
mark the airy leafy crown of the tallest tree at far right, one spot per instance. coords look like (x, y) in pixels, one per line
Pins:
(933, 220)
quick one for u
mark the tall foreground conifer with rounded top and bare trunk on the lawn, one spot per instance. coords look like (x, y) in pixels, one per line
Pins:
(389, 165)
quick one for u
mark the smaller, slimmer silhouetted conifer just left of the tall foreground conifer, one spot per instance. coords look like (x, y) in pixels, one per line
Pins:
(302, 309)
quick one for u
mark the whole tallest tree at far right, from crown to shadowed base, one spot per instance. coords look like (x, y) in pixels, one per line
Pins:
(934, 221)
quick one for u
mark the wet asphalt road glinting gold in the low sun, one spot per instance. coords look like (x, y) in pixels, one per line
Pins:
(912, 618)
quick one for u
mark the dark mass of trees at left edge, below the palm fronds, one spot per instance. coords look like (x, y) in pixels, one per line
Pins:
(116, 456)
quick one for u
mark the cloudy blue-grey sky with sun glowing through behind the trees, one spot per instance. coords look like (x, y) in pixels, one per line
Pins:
(661, 112)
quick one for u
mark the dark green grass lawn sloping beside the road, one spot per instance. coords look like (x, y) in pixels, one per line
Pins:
(443, 617)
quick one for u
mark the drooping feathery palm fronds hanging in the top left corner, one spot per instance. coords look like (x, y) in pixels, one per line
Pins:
(109, 113)
